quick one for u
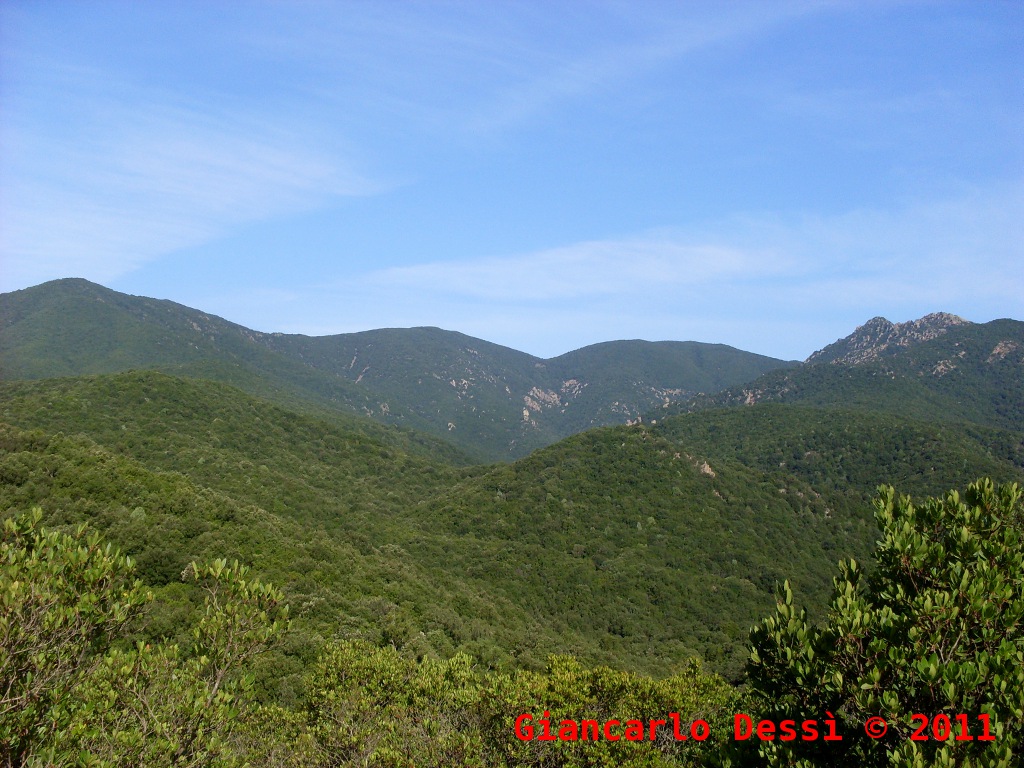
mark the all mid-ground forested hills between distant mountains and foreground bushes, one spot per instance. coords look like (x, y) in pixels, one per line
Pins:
(630, 546)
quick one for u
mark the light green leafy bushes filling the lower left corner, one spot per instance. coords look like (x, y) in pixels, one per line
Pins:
(72, 697)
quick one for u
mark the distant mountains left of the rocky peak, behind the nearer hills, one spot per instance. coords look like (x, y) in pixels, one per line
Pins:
(490, 401)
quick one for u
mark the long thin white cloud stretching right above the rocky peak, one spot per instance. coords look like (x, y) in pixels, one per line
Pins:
(926, 254)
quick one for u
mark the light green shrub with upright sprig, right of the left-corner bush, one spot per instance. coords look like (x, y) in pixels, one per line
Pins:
(165, 708)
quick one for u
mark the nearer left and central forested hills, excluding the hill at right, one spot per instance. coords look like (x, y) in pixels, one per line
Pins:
(612, 545)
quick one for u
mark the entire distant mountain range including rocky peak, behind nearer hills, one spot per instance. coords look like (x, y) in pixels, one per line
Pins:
(493, 403)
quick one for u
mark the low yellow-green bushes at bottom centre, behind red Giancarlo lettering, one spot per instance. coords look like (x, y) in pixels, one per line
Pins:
(371, 706)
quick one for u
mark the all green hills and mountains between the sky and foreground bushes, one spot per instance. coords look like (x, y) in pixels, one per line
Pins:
(639, 525)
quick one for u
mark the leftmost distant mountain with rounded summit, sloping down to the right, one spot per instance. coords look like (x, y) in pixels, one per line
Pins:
(73, 327)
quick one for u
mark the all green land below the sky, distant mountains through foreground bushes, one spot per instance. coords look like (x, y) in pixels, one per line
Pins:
(270, 577)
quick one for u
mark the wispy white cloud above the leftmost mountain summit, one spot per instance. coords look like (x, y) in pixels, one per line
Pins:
(136, 179)
